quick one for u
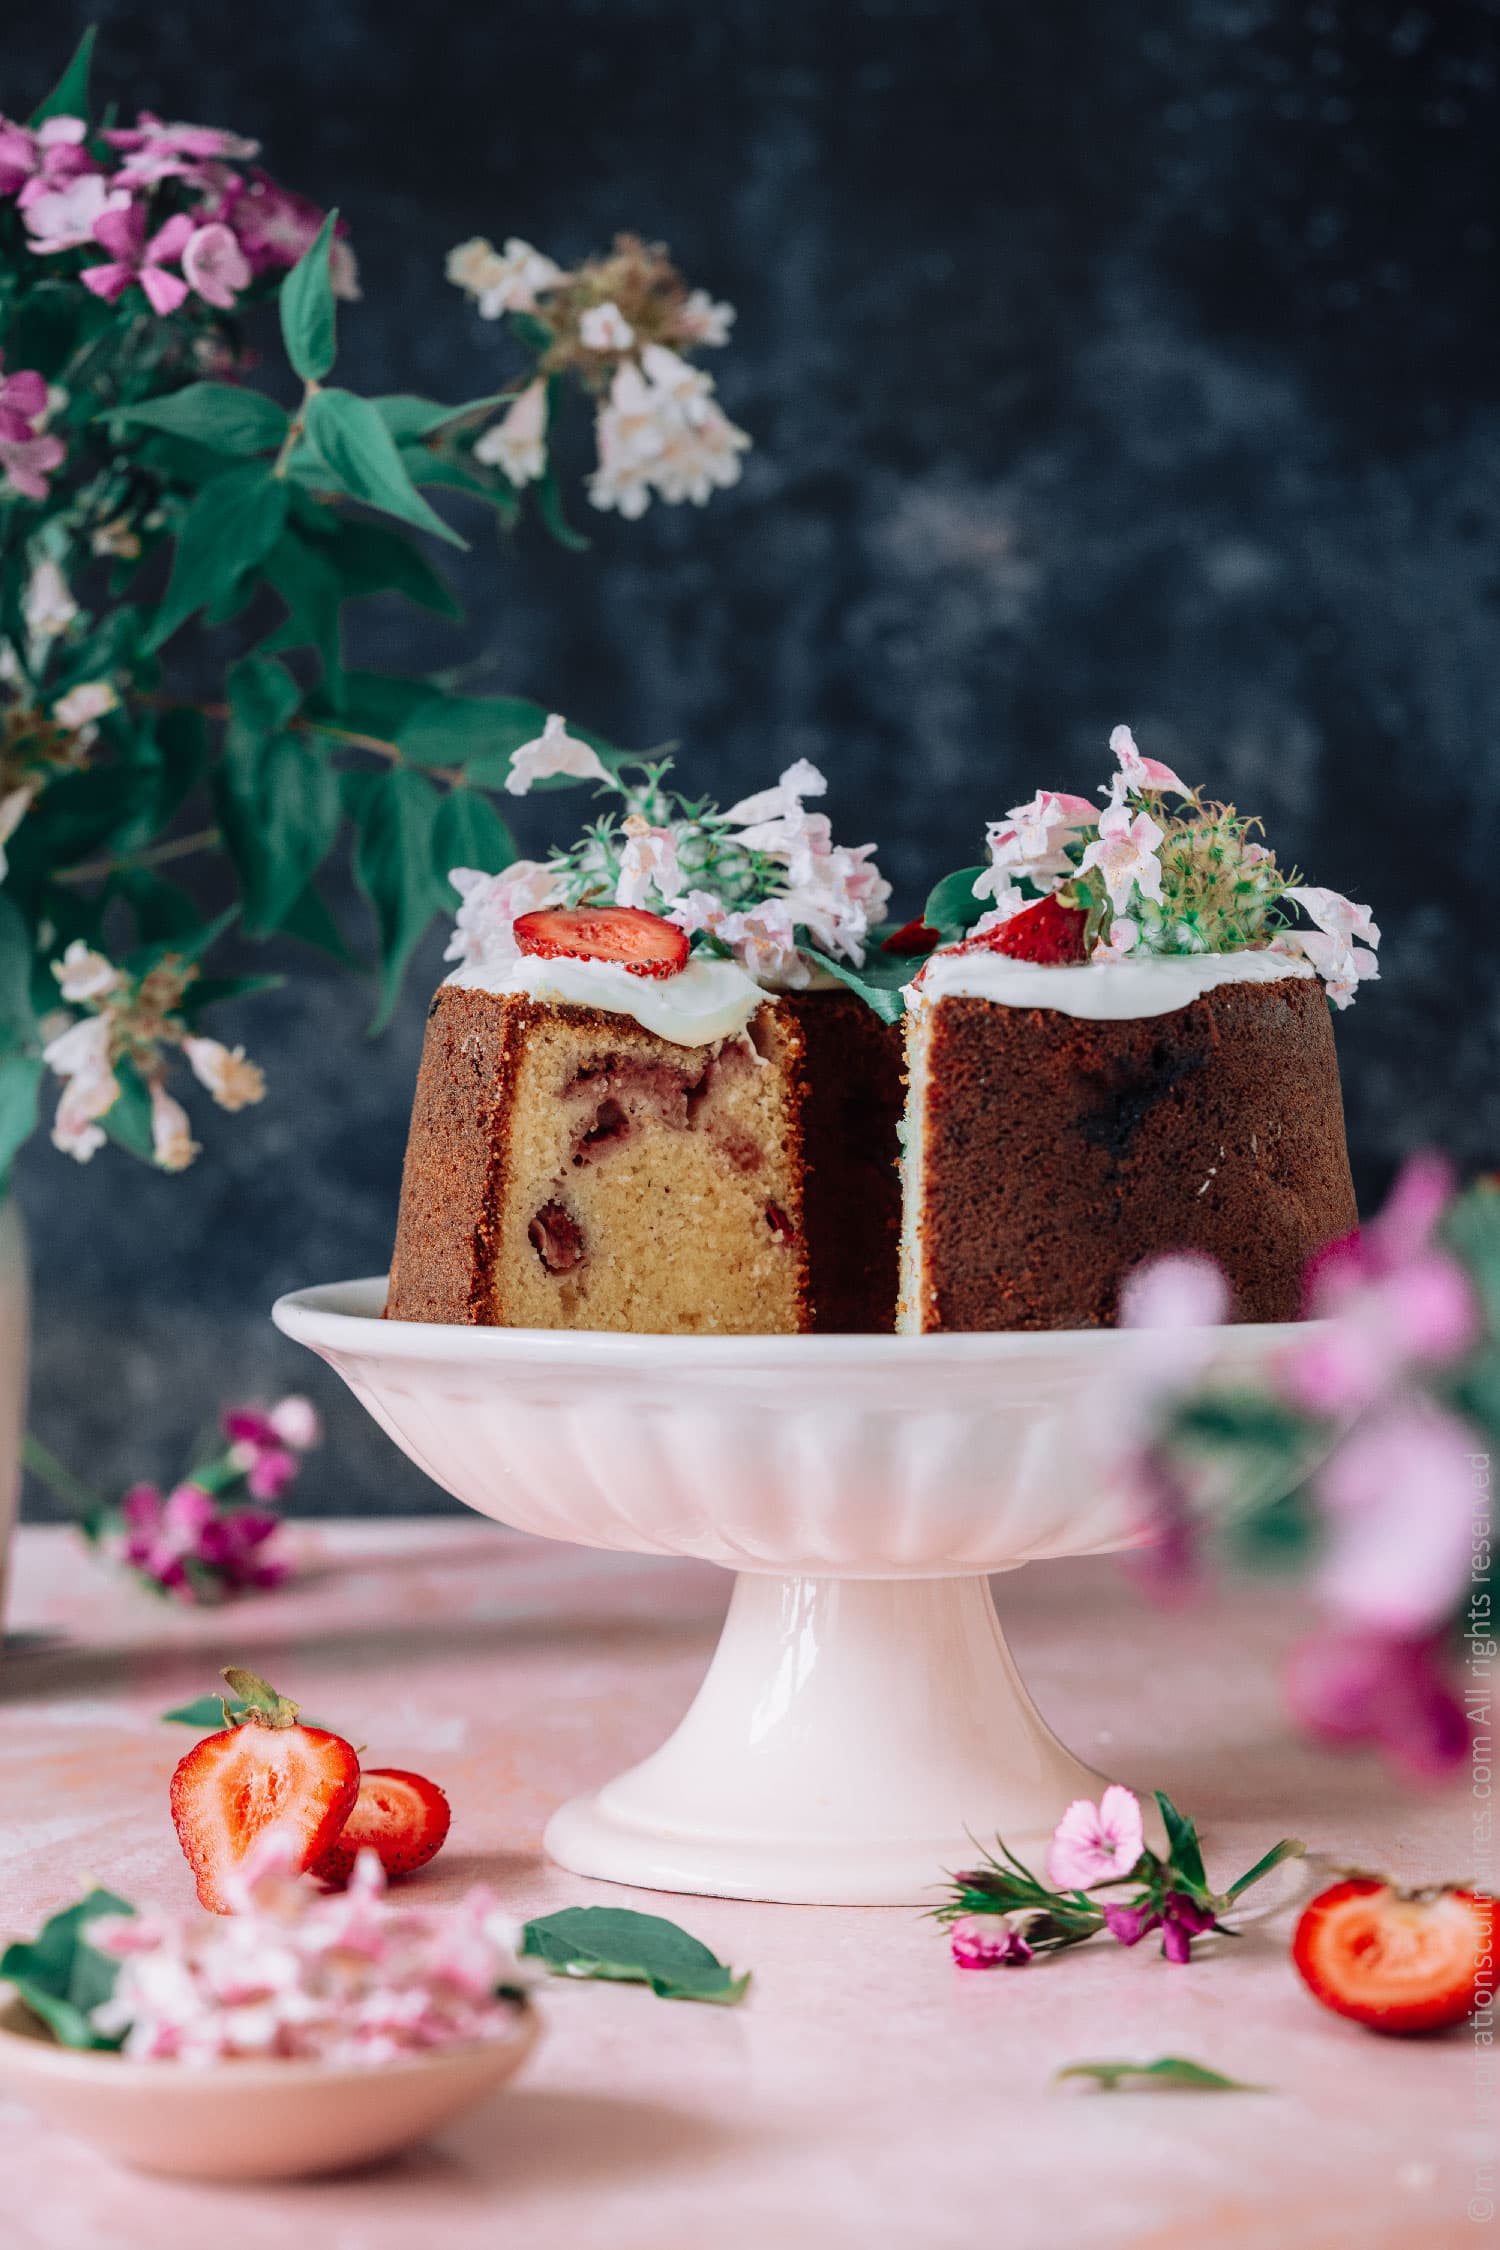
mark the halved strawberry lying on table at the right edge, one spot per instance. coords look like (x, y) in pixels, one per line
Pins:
(1398, 1961)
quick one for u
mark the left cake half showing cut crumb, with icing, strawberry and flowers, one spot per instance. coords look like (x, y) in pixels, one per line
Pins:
(651, 1124)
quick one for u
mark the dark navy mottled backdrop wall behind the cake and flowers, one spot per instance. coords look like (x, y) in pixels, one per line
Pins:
(1103, 361)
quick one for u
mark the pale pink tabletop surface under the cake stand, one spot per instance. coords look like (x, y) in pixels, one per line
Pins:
(867, 2094)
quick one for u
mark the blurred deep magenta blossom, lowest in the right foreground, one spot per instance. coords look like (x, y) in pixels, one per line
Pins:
(1373, 1689)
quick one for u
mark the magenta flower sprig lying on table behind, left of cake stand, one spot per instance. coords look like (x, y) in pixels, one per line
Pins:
(210, 1536)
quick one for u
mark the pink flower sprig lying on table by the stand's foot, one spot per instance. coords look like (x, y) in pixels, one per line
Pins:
(1002, 1916)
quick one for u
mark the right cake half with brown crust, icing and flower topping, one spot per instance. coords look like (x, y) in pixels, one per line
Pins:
(1128, 1054)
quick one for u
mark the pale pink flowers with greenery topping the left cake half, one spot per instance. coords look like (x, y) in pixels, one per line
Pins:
(761, 883)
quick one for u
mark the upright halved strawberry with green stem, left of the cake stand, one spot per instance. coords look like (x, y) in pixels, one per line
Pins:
(260, 1774)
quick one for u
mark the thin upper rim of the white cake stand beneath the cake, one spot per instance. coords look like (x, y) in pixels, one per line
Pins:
(347, 1317)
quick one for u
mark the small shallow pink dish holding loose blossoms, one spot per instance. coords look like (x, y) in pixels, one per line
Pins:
(251, 2121)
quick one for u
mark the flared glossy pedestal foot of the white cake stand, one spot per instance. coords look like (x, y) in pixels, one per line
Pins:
(851, 1743)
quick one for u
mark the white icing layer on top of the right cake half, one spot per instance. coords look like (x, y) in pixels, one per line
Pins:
(1101, 991)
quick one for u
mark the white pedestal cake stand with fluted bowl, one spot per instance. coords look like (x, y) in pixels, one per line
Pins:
(862, 1720)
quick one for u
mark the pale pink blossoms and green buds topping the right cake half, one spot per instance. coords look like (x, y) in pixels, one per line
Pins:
(1146, 876)
